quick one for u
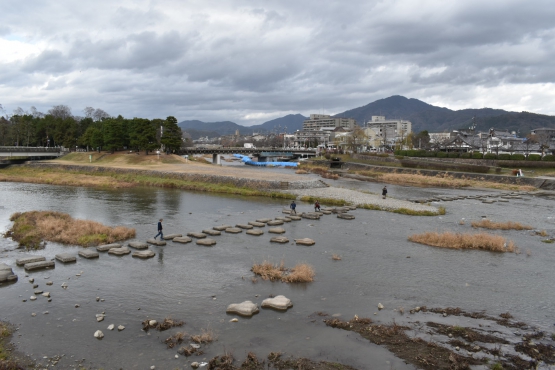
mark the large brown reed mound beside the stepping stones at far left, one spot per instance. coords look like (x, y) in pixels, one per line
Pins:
(31, 228)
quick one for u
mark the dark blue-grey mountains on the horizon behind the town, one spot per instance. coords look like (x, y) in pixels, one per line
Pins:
(423, 116)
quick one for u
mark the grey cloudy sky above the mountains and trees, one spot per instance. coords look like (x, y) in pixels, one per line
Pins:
(251, 61)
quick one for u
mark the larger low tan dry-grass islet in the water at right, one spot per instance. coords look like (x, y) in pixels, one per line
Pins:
(481, 241)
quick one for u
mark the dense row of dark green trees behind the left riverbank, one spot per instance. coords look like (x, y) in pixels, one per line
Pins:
(95, 130)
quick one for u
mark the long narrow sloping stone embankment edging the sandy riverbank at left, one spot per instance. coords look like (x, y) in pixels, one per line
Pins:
(240, 182)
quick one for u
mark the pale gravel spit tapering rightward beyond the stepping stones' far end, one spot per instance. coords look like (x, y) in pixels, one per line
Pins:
(358, 198)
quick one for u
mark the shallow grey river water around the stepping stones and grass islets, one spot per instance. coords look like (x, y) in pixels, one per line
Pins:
(196, 284)
